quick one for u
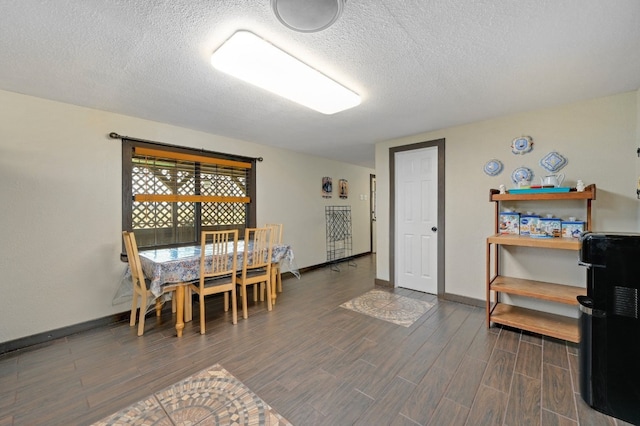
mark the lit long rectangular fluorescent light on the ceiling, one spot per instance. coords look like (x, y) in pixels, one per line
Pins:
(256, 61)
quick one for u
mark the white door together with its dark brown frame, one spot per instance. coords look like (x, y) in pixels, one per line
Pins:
(417, 216)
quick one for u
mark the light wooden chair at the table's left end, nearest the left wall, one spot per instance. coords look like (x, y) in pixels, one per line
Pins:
(140, 284)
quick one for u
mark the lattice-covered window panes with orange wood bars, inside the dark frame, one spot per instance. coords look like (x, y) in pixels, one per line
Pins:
(166, 186)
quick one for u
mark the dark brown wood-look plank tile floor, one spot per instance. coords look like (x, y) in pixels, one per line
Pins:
(314, 362)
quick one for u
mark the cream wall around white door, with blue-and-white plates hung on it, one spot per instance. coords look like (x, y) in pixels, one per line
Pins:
(599, 137)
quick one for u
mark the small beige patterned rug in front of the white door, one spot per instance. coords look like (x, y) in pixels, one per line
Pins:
(389, 307)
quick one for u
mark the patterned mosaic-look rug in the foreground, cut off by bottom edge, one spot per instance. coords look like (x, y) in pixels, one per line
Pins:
(211, 397)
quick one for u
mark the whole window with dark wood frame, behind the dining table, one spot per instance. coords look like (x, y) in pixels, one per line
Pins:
(170, 194)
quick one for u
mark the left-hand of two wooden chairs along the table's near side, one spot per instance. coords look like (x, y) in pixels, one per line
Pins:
(218, 272)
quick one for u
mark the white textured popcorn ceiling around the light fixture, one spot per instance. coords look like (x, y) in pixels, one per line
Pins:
(419, 65)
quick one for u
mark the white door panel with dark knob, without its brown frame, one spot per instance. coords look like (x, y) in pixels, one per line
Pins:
(416, 217)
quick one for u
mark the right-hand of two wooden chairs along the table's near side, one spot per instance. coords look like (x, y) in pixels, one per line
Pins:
(256, 265)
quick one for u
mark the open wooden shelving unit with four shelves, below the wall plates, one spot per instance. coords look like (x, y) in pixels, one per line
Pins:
(528, 319)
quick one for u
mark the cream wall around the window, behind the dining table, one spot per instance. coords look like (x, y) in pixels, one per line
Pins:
(60, 186)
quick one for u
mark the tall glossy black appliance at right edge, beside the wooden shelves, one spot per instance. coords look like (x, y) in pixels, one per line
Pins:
(609, 354)
